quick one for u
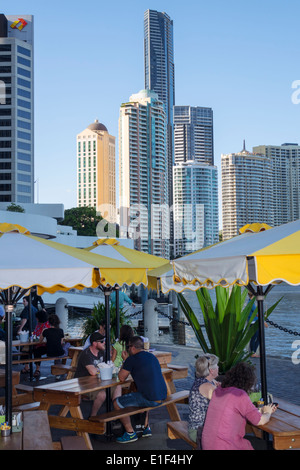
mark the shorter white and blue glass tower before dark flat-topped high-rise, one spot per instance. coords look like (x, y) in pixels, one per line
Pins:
(196, 211)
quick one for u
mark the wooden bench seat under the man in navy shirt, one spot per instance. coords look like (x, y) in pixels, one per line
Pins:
(177, 397)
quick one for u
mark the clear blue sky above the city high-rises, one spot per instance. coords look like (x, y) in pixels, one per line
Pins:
(238, 57)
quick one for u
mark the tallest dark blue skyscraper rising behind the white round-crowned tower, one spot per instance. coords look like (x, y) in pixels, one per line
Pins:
(160, 73)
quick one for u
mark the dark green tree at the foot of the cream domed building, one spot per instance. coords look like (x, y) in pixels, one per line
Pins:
(83, 219)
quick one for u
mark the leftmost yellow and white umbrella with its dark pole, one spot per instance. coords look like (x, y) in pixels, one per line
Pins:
(28, 261)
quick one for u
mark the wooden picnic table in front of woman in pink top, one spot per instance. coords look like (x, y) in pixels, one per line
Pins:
(284, 426)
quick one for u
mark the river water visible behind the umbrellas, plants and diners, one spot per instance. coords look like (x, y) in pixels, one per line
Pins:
(278, 343)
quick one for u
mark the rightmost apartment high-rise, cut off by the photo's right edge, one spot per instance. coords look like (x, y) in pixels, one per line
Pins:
(285, 160)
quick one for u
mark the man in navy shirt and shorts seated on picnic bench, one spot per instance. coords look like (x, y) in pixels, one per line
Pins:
(151, 387)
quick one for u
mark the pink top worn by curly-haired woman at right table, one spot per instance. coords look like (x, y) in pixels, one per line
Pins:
(225, 422)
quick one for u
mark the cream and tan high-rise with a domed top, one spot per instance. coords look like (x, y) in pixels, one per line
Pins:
(96, 174)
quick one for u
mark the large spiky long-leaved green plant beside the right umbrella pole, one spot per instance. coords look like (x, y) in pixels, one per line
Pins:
(226, 324)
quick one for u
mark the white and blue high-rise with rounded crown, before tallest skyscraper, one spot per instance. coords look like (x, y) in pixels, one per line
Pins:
(144, 211)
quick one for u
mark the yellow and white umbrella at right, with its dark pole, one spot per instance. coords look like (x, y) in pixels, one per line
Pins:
(257, 260)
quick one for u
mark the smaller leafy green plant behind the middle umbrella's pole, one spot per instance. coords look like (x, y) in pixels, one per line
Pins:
(92, 322)
